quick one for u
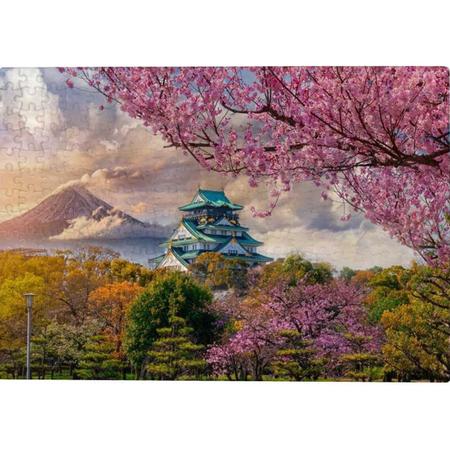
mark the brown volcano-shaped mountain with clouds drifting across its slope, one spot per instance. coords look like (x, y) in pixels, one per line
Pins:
(75, 213)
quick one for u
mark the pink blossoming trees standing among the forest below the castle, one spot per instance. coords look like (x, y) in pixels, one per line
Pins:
(329, 318)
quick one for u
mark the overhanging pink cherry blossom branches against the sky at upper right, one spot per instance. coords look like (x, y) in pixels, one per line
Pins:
(378, 137)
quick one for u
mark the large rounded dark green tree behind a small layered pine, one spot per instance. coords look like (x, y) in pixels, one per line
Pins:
(169, 294)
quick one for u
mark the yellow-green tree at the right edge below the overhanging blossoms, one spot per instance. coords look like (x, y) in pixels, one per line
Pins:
(418, 332)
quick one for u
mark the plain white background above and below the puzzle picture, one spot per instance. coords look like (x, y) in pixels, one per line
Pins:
(220, 415)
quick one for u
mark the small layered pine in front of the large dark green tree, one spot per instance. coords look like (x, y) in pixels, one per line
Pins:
(174, 355)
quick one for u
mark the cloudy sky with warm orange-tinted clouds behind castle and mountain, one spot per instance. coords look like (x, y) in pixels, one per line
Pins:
(52, 136)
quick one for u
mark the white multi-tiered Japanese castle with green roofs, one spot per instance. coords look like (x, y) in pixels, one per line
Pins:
(210, 223)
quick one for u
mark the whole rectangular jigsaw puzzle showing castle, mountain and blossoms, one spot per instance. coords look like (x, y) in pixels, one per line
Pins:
(225, 223)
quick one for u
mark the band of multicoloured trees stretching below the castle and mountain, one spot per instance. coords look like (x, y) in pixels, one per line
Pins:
(97, 316)
